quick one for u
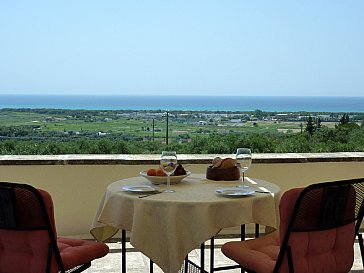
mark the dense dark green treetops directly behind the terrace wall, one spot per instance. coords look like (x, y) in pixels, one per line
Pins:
(325, 140)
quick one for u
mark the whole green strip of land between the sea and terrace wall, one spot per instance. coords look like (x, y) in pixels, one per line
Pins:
(58, 131)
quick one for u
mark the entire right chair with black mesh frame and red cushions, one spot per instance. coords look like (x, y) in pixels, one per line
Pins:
(318, 226)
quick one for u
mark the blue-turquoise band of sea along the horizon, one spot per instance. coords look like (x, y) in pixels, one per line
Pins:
(328, 104)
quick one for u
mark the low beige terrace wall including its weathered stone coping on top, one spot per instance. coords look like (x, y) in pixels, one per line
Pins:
(77, 182)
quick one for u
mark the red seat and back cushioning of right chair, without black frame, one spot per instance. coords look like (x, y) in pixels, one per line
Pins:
(328, 251)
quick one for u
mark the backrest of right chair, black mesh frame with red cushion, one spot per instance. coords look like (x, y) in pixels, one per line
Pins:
(318, 225)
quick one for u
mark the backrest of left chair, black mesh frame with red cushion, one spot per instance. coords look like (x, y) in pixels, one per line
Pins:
(28, 241)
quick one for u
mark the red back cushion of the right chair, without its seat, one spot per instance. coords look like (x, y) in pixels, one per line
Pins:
(329, 251)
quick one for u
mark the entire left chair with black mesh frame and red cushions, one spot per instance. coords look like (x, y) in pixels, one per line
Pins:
(28, 238)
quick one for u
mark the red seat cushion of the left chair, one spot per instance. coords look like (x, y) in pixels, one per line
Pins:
(75, 251)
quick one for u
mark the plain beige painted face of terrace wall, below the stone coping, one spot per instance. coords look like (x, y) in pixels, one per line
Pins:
(78, 189)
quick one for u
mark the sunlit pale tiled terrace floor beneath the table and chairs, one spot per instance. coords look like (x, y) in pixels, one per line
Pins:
(138, 263)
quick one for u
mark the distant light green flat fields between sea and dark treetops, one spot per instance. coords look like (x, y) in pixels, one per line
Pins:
(140, 124)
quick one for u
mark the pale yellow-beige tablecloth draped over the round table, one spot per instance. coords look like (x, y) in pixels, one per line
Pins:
(167, 226)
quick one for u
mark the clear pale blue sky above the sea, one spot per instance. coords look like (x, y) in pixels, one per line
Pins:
(189, 47)
